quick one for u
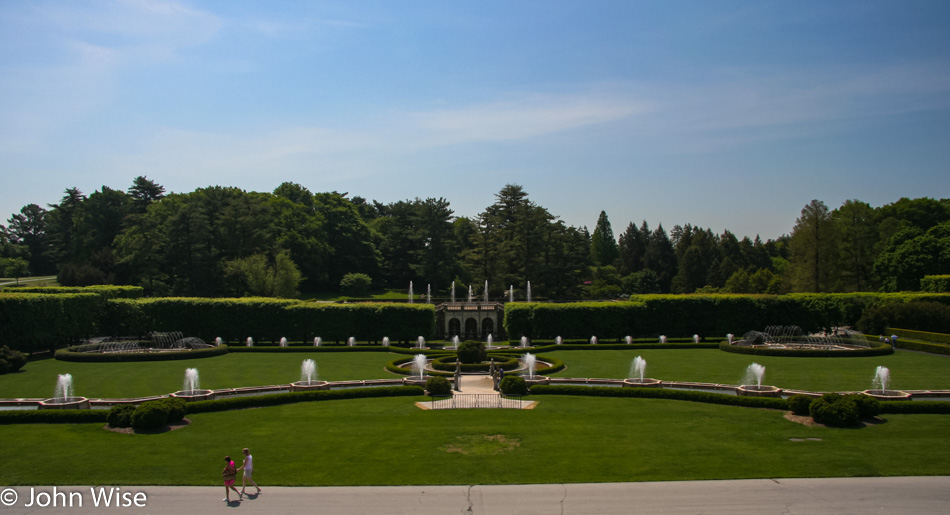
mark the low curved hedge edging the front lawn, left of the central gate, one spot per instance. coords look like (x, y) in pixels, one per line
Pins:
(277, 399)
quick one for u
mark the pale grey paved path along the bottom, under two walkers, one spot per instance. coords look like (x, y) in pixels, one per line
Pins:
(896, 495)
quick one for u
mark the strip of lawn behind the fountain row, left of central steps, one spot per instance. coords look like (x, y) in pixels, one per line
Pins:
(38, 378)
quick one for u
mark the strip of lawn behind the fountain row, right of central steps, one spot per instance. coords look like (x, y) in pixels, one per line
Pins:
(909, 370)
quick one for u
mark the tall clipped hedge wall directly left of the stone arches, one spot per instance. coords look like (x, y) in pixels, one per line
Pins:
(266, 319)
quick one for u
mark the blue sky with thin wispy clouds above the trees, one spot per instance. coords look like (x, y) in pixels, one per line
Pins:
(721, 114)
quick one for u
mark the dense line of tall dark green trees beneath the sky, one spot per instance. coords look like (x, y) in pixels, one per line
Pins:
(224, 241)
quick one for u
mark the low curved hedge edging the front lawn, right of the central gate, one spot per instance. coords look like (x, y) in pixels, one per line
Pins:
(662, 393)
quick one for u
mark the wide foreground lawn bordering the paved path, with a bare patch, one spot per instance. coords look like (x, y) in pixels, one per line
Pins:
(391, 442)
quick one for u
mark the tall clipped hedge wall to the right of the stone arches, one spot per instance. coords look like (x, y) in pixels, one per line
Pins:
(684, 315)
